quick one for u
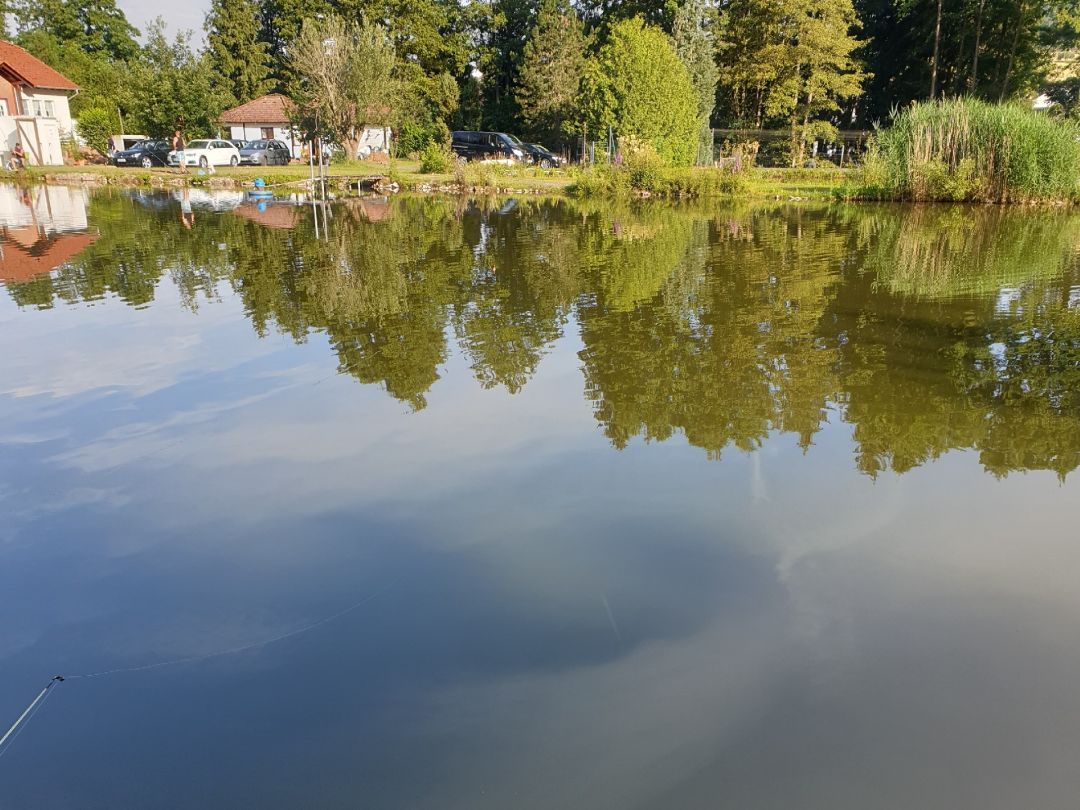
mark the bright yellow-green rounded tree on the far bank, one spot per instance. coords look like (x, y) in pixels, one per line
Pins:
(638, 85)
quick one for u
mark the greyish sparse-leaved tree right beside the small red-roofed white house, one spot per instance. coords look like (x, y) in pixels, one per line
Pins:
(345, 74)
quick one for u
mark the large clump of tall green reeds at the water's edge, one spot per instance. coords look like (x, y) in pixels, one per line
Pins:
(967, 151)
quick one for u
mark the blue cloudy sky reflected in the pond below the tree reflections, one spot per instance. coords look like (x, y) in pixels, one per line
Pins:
(557, 624)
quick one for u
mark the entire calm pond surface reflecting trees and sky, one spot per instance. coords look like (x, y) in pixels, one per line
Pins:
(538, 505)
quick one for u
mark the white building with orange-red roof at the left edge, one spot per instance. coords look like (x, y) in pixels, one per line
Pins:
(34, 107)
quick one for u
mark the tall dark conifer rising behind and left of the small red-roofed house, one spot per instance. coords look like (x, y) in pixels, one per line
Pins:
(238, 57)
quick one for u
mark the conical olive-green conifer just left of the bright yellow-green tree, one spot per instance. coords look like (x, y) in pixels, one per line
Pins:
(551, 72)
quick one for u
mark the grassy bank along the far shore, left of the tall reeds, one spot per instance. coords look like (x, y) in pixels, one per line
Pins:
(471, 179)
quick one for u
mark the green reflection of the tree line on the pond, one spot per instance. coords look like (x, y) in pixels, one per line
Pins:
(927, 330)
